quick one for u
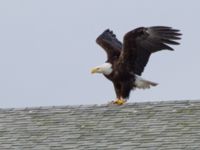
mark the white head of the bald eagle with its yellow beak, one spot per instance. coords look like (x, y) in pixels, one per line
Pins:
(105, 68)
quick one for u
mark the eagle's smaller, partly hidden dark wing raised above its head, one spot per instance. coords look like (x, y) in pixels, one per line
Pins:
(108, 41)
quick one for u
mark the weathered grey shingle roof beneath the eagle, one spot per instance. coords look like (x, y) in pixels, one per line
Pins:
(139, 126)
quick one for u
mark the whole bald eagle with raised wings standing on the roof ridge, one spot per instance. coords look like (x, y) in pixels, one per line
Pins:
(126, 61)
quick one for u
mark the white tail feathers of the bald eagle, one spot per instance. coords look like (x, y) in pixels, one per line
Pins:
(141, 83)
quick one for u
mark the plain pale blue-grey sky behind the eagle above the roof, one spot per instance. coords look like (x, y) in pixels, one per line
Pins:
(47, 48)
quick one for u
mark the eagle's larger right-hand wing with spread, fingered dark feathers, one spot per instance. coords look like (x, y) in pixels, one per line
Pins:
(141, 42)
